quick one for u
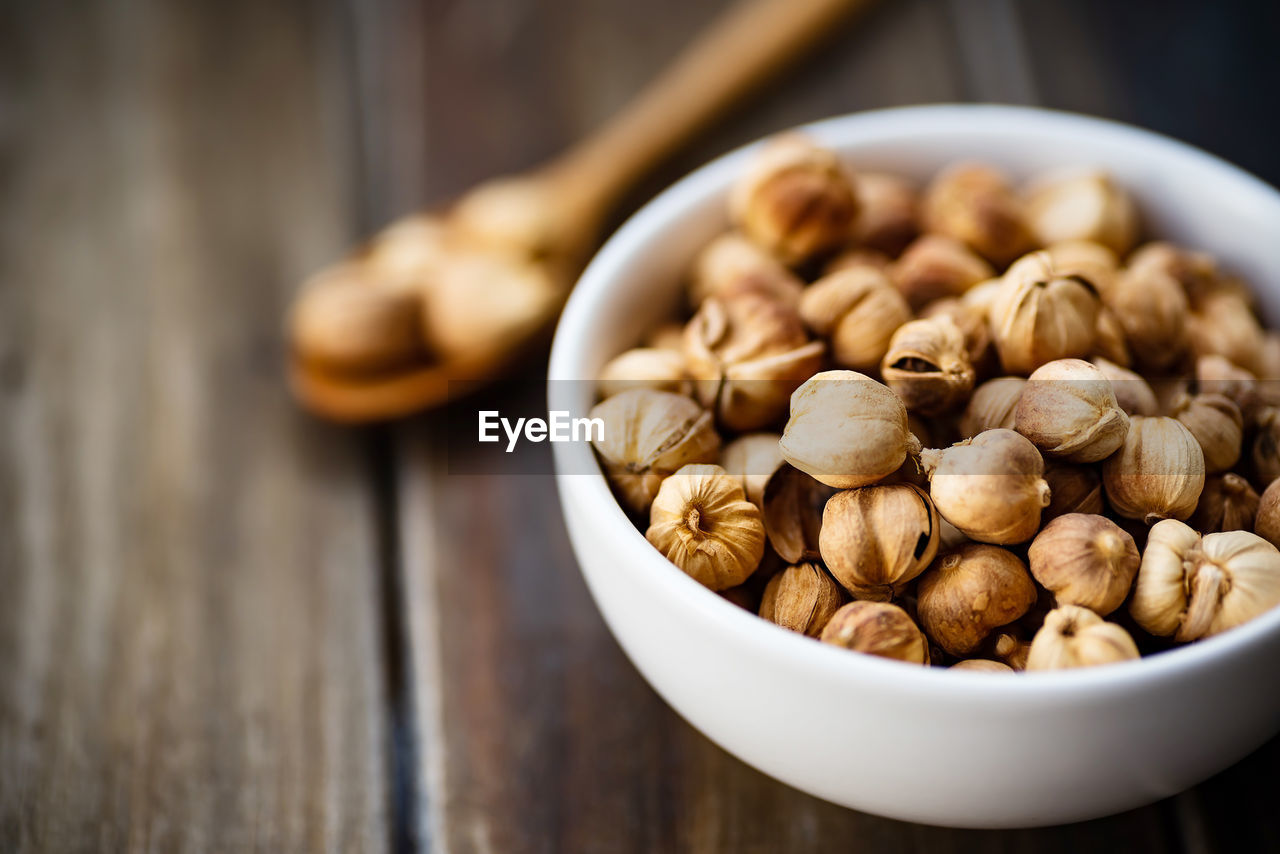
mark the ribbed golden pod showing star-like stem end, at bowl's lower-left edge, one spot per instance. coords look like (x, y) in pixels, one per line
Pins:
(702, 522)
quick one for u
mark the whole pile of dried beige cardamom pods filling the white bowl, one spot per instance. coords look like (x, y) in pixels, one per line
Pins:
(971, 424)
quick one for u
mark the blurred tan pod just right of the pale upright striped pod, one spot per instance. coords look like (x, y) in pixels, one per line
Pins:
(1153, 310)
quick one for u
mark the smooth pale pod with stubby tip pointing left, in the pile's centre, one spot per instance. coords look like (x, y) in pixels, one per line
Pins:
(991, 487)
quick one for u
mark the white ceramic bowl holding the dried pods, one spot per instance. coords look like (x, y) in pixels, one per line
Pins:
(964, 750)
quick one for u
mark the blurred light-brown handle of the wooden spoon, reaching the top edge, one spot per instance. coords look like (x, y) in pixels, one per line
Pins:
(740, 52)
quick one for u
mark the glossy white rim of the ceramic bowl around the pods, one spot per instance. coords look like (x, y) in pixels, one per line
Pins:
(589, 490)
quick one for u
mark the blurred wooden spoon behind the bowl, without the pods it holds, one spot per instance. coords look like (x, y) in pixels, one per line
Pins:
(554, 214)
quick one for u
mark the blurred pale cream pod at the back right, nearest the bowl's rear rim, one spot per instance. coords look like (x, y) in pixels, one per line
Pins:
(1084, 207)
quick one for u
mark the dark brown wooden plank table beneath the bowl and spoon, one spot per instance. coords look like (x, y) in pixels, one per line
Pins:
(227, 627)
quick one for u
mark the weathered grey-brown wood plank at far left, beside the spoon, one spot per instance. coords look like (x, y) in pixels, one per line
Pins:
(190, 637)
